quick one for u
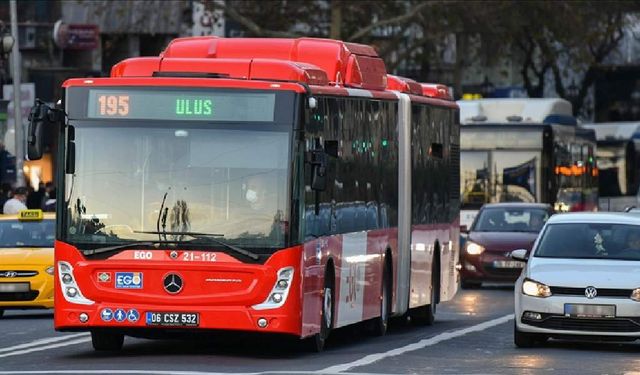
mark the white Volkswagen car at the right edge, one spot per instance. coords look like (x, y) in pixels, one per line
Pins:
(582, 280)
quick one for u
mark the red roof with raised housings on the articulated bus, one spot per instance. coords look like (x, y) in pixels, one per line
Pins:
(318, 66)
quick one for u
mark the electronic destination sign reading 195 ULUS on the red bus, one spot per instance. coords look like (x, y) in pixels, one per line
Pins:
(180, 105)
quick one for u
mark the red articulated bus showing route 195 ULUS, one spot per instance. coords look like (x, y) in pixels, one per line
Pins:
(270, 185)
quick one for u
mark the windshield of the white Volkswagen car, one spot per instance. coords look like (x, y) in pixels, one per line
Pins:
(590, 241)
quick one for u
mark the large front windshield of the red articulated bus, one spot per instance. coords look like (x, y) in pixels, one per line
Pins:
(160, 176)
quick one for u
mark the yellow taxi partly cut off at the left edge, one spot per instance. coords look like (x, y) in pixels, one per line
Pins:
(26, 260)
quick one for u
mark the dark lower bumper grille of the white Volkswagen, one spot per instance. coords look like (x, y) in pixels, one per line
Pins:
(597, 325)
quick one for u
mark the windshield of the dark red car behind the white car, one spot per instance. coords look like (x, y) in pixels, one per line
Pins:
(510, 219)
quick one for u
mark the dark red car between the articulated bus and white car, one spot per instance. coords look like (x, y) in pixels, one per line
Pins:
(498, 229)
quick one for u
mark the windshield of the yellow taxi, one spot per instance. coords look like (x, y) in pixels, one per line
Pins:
(14, 233)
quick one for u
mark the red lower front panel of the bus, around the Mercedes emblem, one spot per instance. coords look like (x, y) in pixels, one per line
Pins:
(222, 305)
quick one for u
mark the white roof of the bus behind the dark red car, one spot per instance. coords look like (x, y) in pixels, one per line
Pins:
(516, 111)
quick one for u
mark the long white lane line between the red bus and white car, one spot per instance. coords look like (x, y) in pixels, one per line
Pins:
(371, 358)
